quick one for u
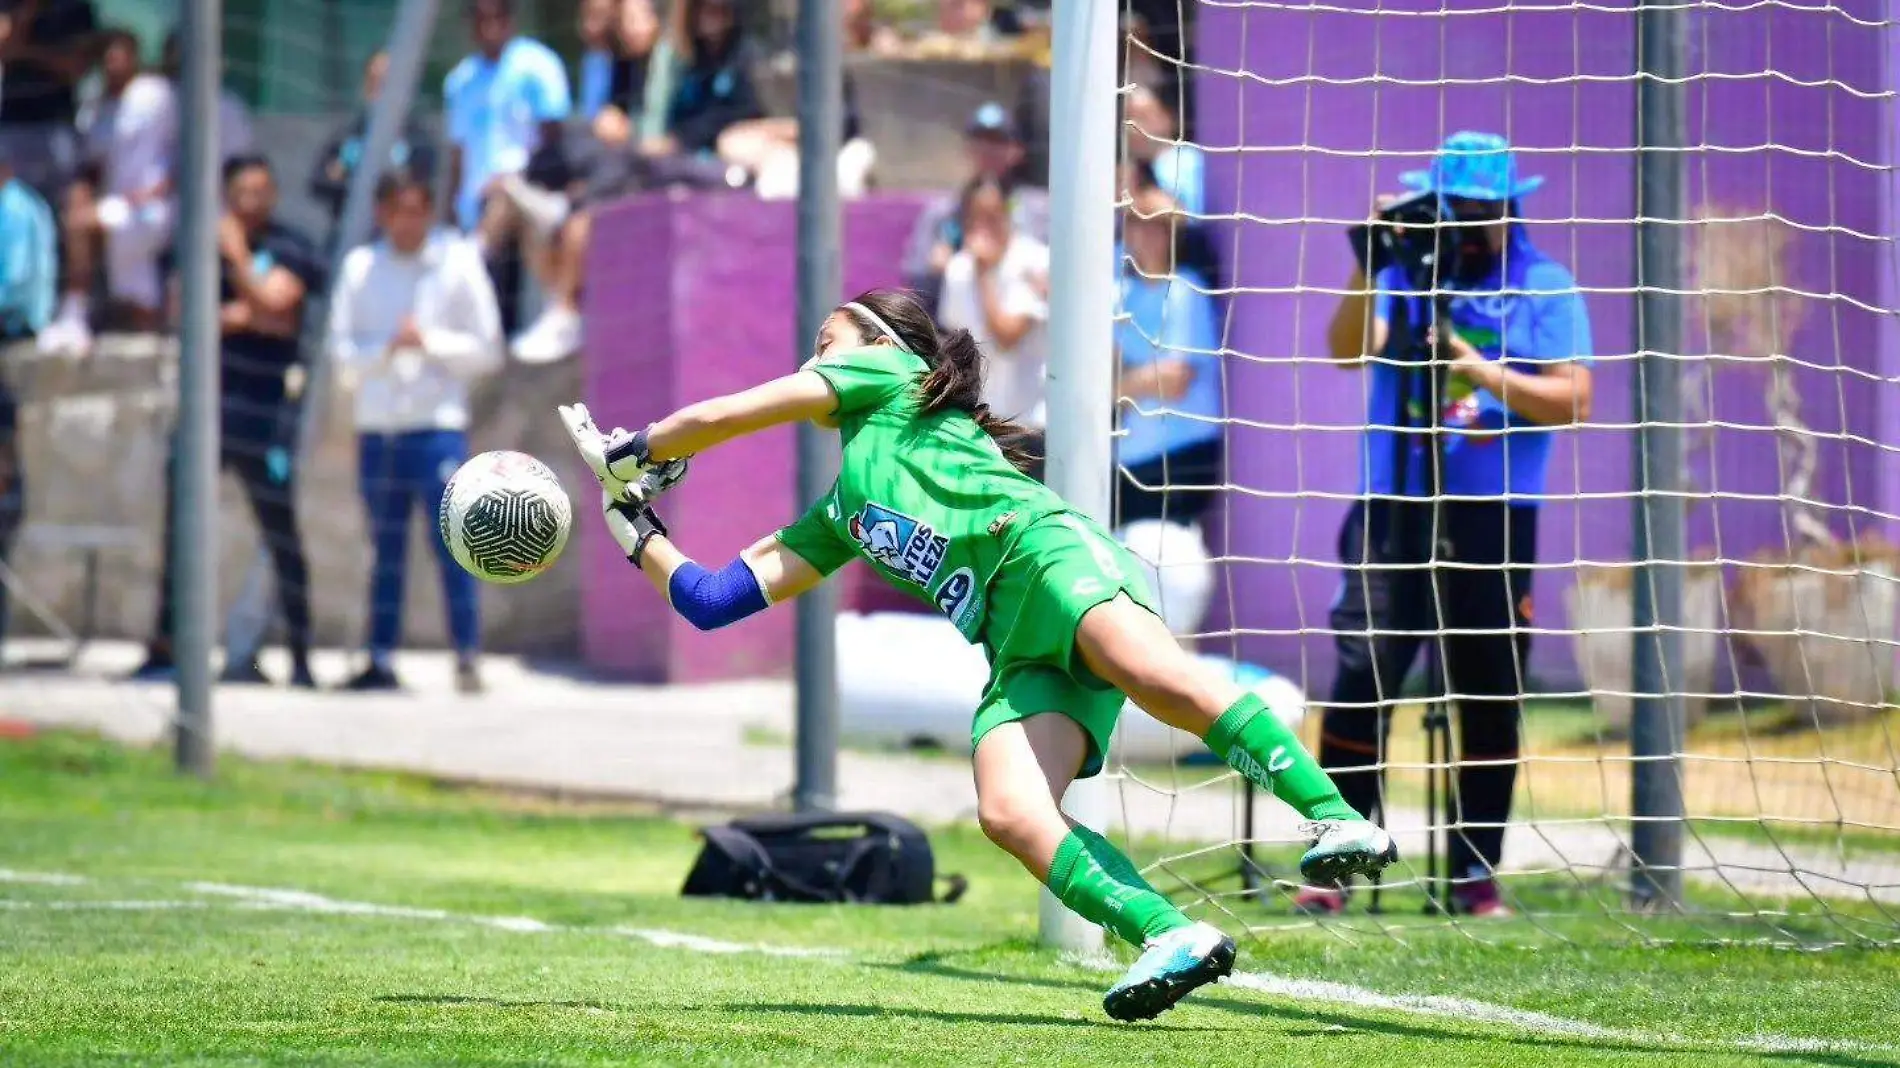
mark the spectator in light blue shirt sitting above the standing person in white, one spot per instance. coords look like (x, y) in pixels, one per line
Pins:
(506, 105)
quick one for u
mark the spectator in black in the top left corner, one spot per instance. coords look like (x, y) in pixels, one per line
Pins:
(47, 48)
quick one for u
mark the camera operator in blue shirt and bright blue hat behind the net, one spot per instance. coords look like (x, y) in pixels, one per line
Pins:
(1492, 335)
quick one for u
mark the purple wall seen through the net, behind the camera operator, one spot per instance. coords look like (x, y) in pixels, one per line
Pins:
(1335, 105)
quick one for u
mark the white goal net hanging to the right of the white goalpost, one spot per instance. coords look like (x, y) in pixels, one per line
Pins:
(1789, 767)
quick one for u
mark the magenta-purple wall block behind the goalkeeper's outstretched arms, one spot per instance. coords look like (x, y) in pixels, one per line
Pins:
(694, 297)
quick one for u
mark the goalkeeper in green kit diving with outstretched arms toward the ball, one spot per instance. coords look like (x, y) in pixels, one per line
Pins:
(934, 497)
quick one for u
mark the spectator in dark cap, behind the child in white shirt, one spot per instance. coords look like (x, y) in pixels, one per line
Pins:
(995, 151)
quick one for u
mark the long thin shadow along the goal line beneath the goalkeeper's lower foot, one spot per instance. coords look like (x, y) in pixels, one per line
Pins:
(938, 964)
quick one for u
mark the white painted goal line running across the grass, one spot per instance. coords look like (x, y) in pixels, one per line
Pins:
(1312, 991)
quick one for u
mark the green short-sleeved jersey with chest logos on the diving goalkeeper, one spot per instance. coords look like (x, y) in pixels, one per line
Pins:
(928, 499)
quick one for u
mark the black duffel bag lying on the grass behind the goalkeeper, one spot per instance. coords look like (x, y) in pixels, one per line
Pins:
(856, 858)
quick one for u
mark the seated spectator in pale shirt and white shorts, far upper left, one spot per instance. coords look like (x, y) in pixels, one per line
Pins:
(121, 208)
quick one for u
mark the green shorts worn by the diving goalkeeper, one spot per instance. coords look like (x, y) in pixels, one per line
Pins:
(1059, 569)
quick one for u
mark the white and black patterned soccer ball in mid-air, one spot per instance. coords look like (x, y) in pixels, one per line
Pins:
(504, 518)
